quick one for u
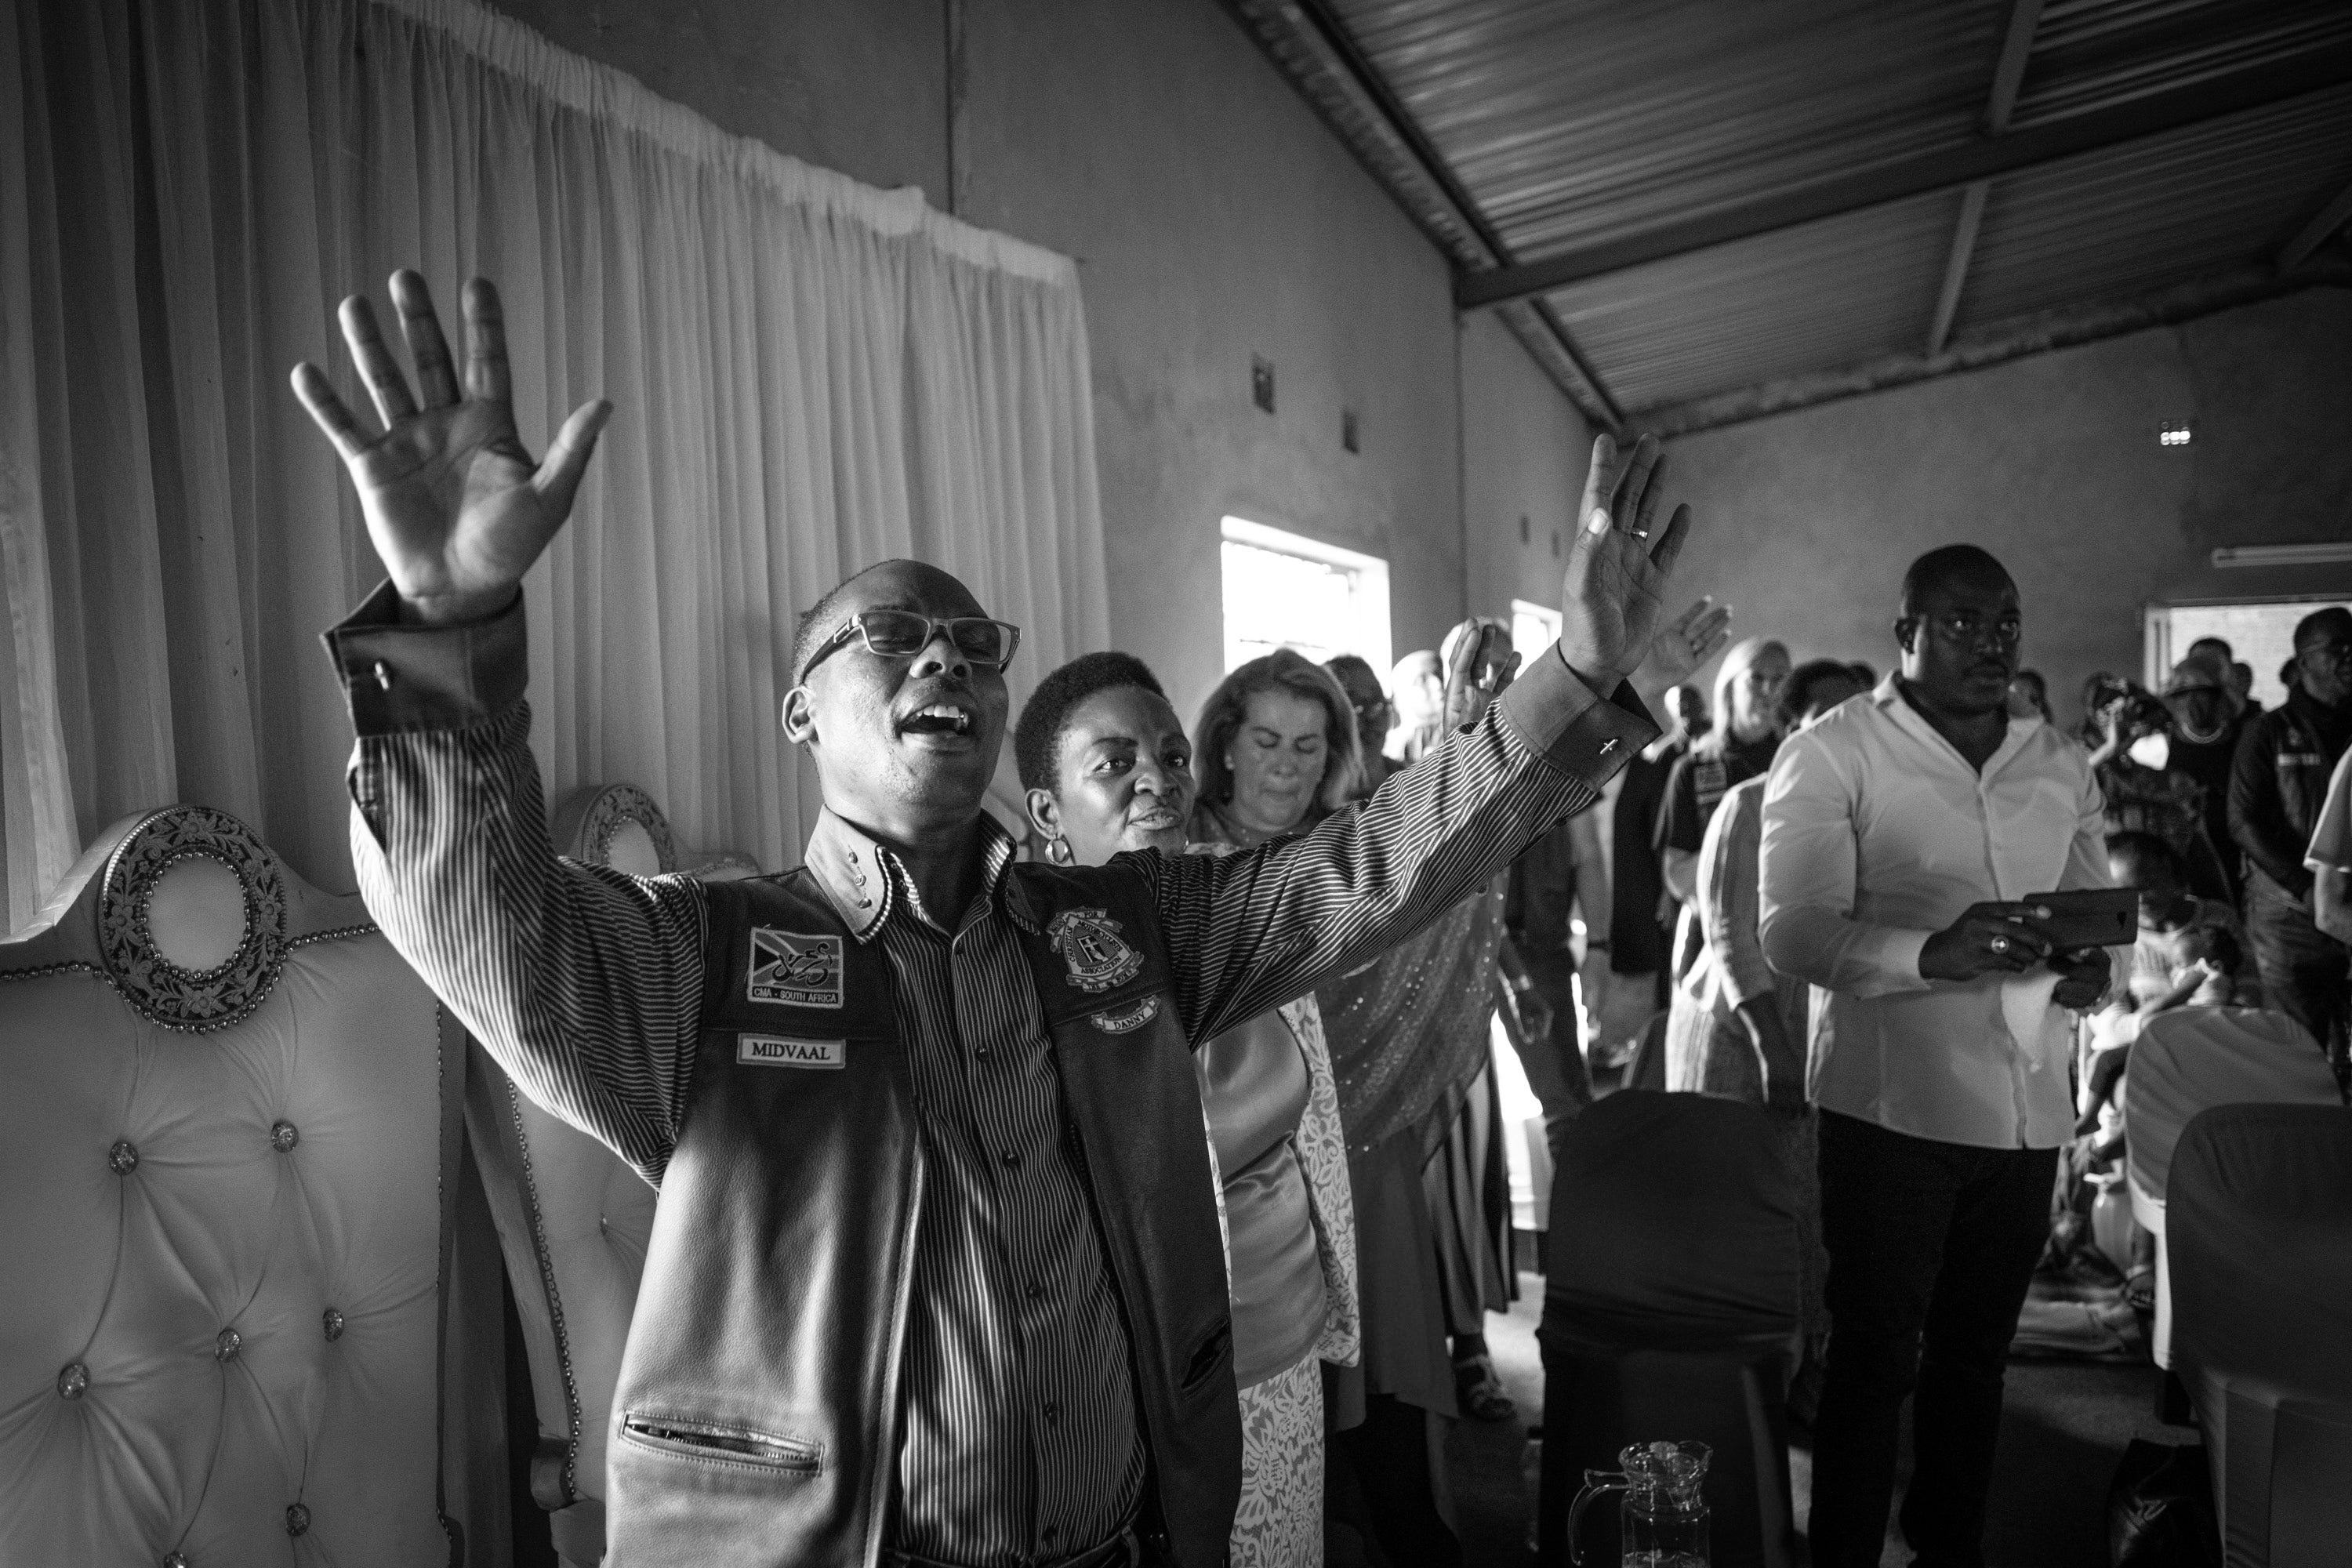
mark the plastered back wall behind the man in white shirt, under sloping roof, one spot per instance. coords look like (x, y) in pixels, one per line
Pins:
(1808, 521)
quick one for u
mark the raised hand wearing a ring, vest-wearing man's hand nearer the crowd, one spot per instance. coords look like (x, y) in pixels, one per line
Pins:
(1617, 570)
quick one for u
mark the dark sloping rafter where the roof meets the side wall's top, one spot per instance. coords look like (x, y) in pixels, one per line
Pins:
(1436, 201)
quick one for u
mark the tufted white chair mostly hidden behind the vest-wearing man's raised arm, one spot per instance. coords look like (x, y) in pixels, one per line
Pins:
(573, 1219)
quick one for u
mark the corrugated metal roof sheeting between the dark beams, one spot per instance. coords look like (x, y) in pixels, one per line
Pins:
(1570, 123)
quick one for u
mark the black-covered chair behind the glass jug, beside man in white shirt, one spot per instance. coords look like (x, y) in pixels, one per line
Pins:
(1671, 1313)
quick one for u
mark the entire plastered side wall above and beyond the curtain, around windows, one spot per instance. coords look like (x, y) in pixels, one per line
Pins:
(1215, 220)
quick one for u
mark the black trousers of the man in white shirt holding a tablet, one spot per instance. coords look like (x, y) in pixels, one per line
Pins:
(1932, 1249)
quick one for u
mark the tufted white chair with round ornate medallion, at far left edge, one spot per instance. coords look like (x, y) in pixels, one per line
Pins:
(229, 1151)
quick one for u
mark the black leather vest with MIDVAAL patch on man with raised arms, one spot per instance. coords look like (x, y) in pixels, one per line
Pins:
(756, 1416)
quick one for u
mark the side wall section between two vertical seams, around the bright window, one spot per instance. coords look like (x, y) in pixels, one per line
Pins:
(1217, 220)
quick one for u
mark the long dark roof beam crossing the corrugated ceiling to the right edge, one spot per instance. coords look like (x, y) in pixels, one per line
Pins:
(1923, 175)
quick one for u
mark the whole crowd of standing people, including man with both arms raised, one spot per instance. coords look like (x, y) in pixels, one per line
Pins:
(1149, 1200)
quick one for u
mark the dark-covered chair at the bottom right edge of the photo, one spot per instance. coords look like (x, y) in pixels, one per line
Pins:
(2259, 1219)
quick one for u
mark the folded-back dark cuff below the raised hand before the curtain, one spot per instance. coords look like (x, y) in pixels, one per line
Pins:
(401, 678)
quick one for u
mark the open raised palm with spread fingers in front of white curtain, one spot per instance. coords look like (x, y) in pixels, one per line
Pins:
(455, 504)
